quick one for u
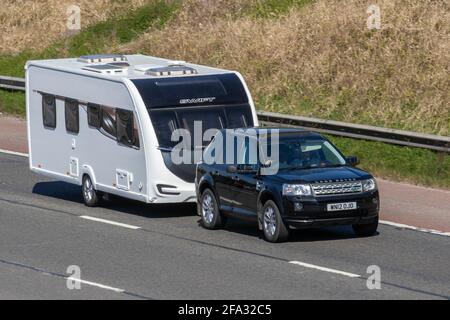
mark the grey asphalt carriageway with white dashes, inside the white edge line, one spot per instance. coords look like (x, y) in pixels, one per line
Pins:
(161, 252)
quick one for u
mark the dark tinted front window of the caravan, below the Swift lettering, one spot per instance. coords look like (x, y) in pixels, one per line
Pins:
(166, 121)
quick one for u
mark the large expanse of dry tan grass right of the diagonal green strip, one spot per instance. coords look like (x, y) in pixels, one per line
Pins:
(322, 61)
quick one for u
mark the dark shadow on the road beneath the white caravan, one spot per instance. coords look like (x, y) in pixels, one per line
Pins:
(70, 192)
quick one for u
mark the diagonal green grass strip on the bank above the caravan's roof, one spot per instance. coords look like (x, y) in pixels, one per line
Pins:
(99, 37)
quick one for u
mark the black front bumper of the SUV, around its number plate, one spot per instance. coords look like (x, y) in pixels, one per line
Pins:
(314, 210)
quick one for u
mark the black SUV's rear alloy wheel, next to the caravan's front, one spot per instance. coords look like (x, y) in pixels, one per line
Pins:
(209, 211)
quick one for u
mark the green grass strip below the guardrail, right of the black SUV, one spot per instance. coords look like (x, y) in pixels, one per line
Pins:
(398, 163)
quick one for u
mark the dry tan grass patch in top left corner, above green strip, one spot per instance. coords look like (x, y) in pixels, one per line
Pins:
(29, 24)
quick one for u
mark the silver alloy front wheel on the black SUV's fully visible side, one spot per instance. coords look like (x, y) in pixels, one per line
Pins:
(273, 226)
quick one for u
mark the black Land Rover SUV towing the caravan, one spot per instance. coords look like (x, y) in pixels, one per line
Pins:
(315, 185)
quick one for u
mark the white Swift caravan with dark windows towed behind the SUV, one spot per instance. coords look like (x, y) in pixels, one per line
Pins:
(105, 121)
